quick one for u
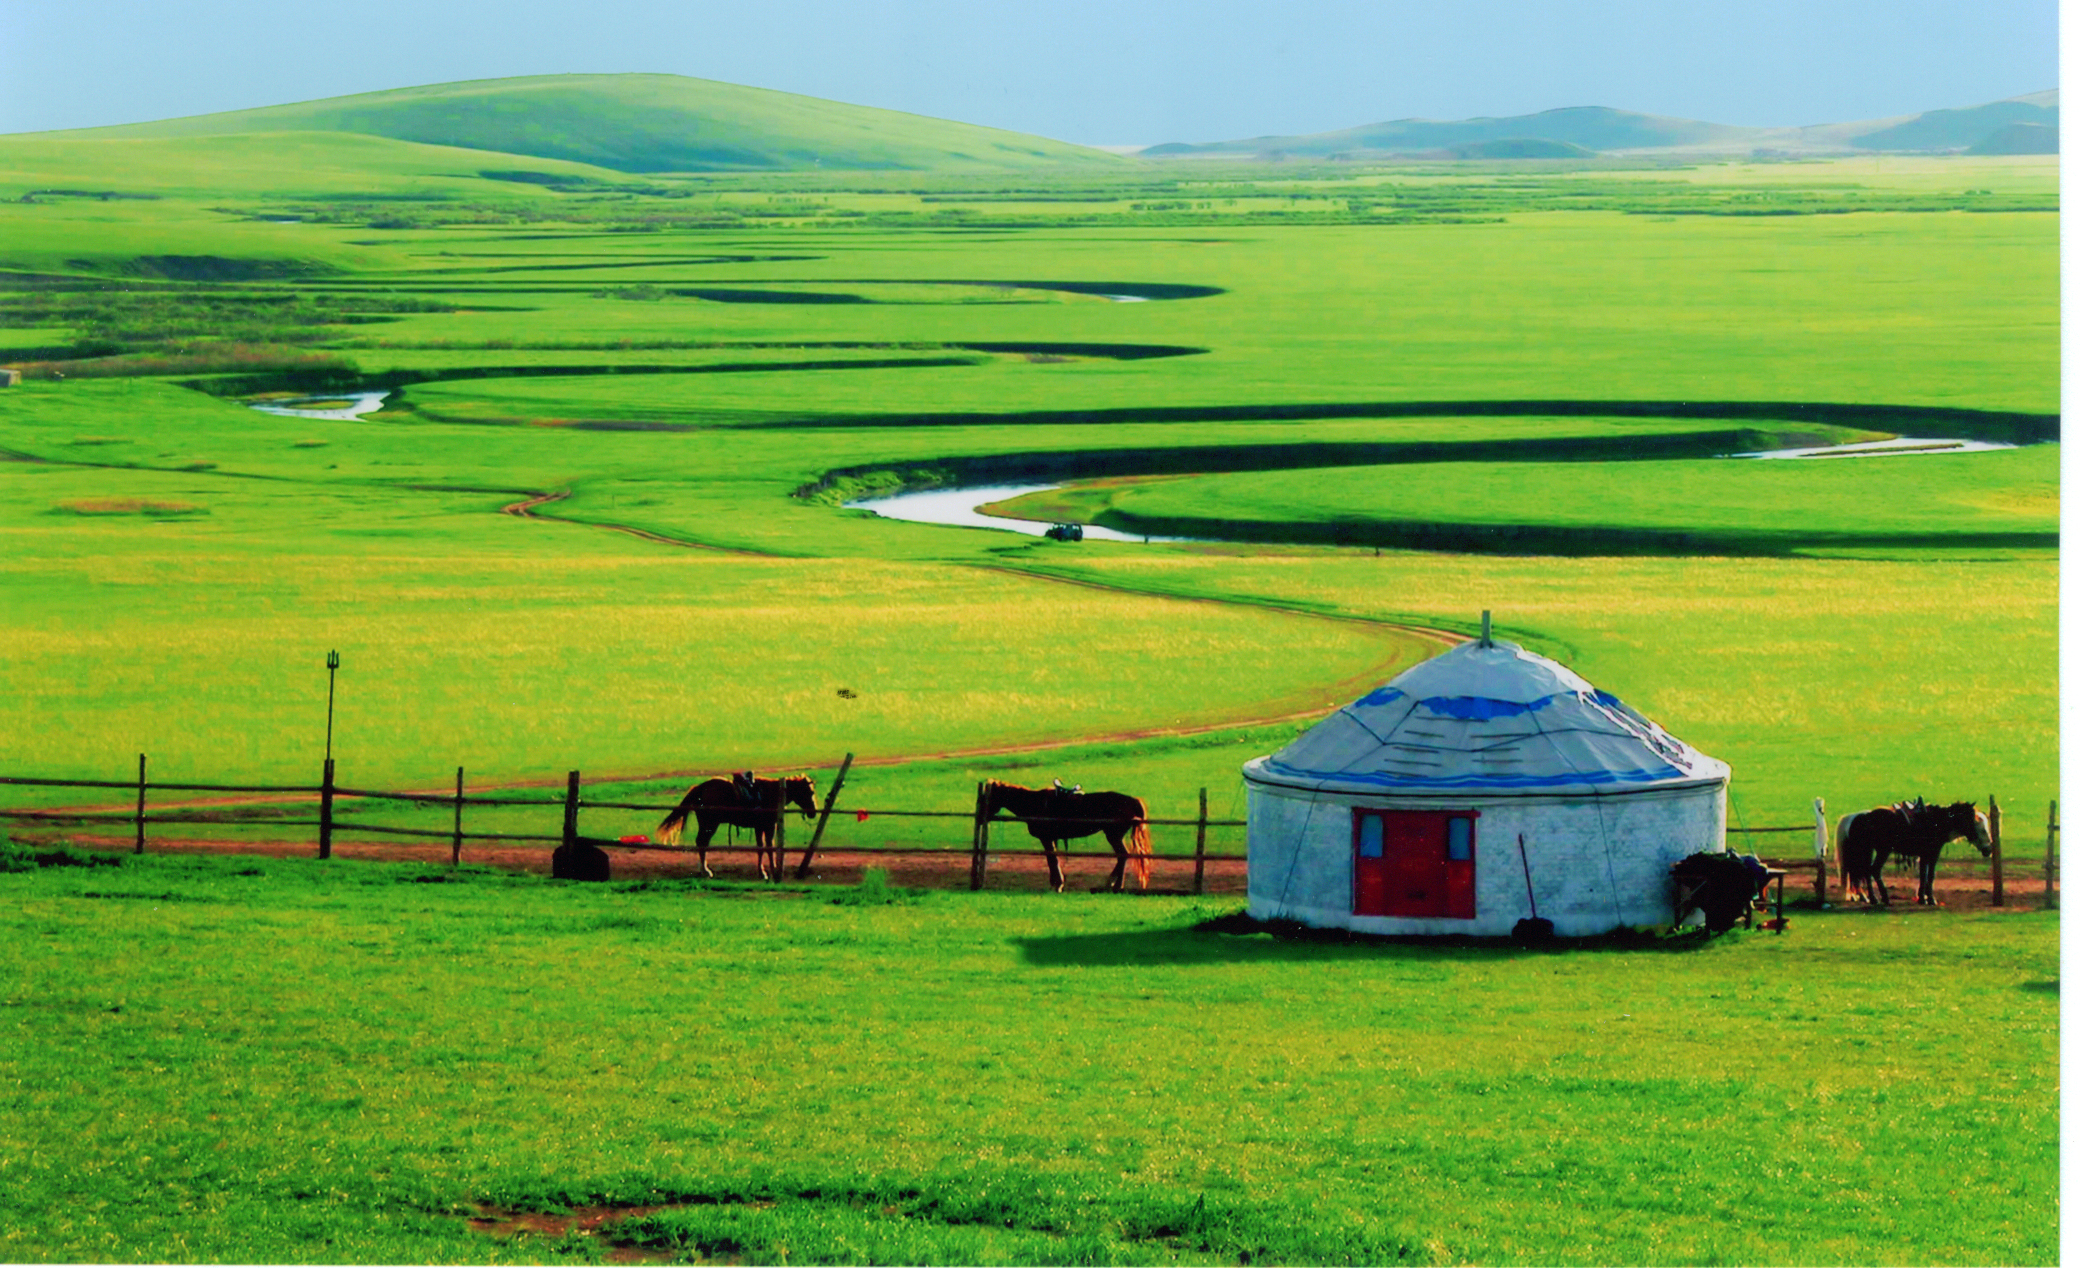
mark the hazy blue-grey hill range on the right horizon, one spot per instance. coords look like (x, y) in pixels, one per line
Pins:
(1603, 130)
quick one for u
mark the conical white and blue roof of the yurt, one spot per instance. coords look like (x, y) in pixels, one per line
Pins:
(1486, 720)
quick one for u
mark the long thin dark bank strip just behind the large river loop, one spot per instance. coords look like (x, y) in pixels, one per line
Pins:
(1979, 425)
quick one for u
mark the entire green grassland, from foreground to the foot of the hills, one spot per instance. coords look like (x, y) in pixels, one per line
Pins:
(667, 365)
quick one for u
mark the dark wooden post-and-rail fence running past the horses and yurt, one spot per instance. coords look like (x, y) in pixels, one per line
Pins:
(328, 822)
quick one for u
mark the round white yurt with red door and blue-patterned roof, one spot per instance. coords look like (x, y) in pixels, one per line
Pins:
(1478, 789)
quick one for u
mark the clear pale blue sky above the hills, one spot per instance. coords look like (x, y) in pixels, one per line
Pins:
(1122, 72)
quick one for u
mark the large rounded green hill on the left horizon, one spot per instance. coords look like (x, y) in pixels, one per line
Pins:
(640, 124)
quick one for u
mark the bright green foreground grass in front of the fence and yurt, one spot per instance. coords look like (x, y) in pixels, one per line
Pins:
(271, 1061)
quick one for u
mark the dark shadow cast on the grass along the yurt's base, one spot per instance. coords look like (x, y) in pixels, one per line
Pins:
(1239, 939)
